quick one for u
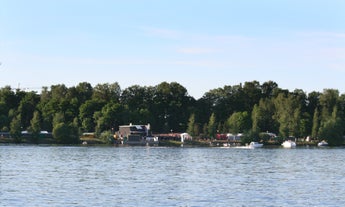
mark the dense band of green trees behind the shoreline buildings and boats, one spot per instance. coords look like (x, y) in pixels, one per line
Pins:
(250, 107)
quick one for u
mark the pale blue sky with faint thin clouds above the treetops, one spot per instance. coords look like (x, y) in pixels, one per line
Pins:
(200, 44)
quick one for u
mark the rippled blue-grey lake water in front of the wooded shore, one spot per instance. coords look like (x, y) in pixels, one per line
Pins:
(154, 176)
